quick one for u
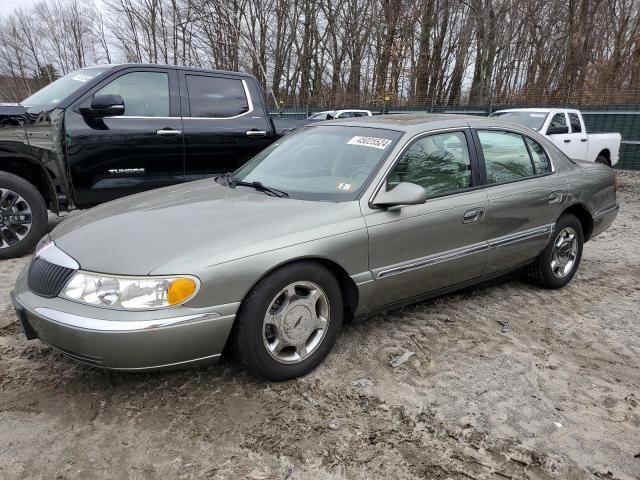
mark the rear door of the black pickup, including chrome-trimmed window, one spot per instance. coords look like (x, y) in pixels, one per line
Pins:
(225, 122)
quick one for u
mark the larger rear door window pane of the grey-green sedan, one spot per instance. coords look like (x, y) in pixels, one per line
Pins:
(505, 156)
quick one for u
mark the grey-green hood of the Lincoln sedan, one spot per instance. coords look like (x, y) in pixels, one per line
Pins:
(176, 229)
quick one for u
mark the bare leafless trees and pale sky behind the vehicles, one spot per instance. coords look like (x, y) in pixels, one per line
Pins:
(348, 52)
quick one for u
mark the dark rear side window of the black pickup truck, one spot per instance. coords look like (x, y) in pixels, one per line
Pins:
(216, 97)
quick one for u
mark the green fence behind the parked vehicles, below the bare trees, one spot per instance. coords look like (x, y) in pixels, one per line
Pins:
(623, 119)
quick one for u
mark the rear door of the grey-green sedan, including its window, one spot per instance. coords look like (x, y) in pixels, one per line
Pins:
(524, 193)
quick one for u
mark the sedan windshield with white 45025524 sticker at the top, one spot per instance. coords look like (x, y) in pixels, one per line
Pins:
(324, 163)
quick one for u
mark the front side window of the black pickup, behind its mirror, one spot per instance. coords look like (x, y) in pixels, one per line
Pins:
(145, 94)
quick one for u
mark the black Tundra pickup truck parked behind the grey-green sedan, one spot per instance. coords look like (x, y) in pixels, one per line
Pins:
(104, 132)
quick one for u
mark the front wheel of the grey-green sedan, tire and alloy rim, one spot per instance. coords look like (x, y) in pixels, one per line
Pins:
(257, 342)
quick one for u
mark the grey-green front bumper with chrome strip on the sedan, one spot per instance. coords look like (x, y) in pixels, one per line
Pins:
(125, 340)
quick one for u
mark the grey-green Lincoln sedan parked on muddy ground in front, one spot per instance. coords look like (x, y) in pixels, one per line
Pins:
(339, 219)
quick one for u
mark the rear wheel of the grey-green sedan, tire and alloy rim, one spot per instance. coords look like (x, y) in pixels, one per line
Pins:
(552, 268)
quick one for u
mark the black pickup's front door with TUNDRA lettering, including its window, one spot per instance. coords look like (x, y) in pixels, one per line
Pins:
(111, 157)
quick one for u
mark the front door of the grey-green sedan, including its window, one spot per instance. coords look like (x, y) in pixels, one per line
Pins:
(423, 248)
